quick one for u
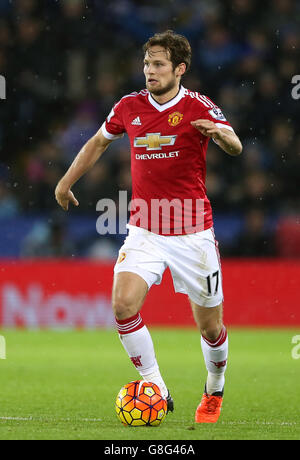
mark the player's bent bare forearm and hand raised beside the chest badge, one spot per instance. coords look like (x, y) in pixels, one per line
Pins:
(225, 138)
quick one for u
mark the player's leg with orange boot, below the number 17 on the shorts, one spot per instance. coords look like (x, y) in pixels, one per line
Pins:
(214, 343)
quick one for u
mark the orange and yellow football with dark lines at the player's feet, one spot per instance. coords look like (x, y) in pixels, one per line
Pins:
(140, 403)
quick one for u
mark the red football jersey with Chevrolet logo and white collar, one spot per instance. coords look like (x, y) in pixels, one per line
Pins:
(168, 159)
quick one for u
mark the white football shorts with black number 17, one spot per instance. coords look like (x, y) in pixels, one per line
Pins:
(193, 260)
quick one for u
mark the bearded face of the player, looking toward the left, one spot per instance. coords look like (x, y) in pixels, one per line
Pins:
(159, 72)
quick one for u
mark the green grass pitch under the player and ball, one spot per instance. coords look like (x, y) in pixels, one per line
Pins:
(62, 385)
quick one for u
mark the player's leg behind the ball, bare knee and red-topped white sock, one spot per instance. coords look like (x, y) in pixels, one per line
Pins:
(129, 292)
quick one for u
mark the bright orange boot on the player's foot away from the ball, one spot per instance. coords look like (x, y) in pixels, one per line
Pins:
(209, 409)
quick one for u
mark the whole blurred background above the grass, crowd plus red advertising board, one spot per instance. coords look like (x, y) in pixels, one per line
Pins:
(65, 64)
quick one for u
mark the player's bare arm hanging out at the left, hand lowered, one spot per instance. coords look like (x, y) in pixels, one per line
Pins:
(84, 161)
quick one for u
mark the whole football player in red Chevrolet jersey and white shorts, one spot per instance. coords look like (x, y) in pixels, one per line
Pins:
(169, 128)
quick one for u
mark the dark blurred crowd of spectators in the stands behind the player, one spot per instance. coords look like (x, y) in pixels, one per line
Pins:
(67, 62)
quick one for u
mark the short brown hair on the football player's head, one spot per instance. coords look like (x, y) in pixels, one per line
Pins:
(177, 45)
